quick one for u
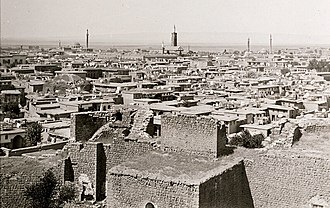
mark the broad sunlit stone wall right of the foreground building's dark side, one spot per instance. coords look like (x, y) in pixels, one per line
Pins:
(286, 180)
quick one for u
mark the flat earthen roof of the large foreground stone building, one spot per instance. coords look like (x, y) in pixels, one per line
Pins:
(175, 167)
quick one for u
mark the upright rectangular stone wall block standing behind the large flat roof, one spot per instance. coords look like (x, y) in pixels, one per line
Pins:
(192, 133)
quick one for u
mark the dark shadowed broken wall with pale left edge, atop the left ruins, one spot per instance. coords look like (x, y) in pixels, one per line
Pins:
(84, 125)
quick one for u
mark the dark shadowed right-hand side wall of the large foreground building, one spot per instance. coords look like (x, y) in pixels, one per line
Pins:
(227, 190)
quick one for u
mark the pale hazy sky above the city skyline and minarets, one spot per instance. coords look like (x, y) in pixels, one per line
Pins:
(151, 21)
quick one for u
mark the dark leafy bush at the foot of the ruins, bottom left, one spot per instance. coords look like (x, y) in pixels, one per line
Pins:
(48, 193)
